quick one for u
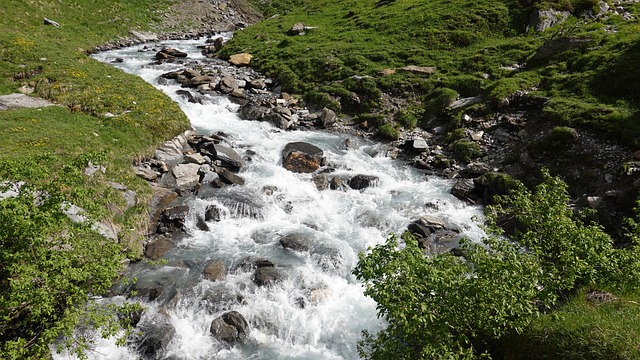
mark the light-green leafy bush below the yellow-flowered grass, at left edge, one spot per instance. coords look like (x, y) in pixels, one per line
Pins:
(50, 266)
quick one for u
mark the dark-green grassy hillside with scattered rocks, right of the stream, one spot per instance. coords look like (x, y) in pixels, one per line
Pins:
(465, 40)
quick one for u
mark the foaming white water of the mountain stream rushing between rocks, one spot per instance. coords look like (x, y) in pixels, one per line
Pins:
(319, 310)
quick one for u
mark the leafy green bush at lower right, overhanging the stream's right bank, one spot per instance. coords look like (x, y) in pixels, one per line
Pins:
(465, 308)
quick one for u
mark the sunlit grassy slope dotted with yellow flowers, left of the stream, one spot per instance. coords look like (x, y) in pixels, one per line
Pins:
(53, 61)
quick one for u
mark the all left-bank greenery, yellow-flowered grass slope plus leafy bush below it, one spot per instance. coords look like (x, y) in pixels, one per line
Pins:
(49, 267)
